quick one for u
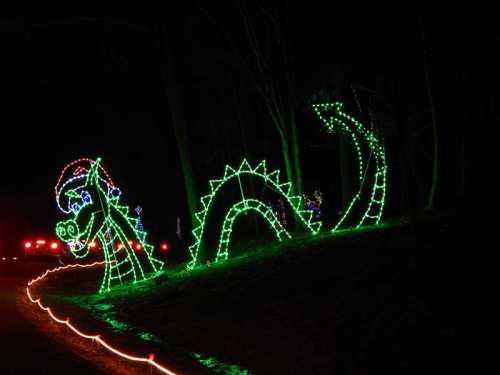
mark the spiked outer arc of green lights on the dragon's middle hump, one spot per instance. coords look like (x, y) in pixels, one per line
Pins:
(271, 179)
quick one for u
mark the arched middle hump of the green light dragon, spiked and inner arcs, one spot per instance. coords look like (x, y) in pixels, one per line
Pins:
(272, 181)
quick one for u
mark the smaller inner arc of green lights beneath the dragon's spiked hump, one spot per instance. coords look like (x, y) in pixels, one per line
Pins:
(242, 207)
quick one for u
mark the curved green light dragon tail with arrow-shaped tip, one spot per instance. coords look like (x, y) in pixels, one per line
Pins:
(368, 147)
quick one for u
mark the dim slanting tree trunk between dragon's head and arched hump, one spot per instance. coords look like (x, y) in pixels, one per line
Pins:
(179, 124)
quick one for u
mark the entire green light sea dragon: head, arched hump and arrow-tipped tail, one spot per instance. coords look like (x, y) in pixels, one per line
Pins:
(87, 194)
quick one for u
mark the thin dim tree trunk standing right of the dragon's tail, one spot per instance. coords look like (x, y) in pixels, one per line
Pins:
(435, 166)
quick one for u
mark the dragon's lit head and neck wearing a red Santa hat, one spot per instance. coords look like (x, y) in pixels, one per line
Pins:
(87, 194)
